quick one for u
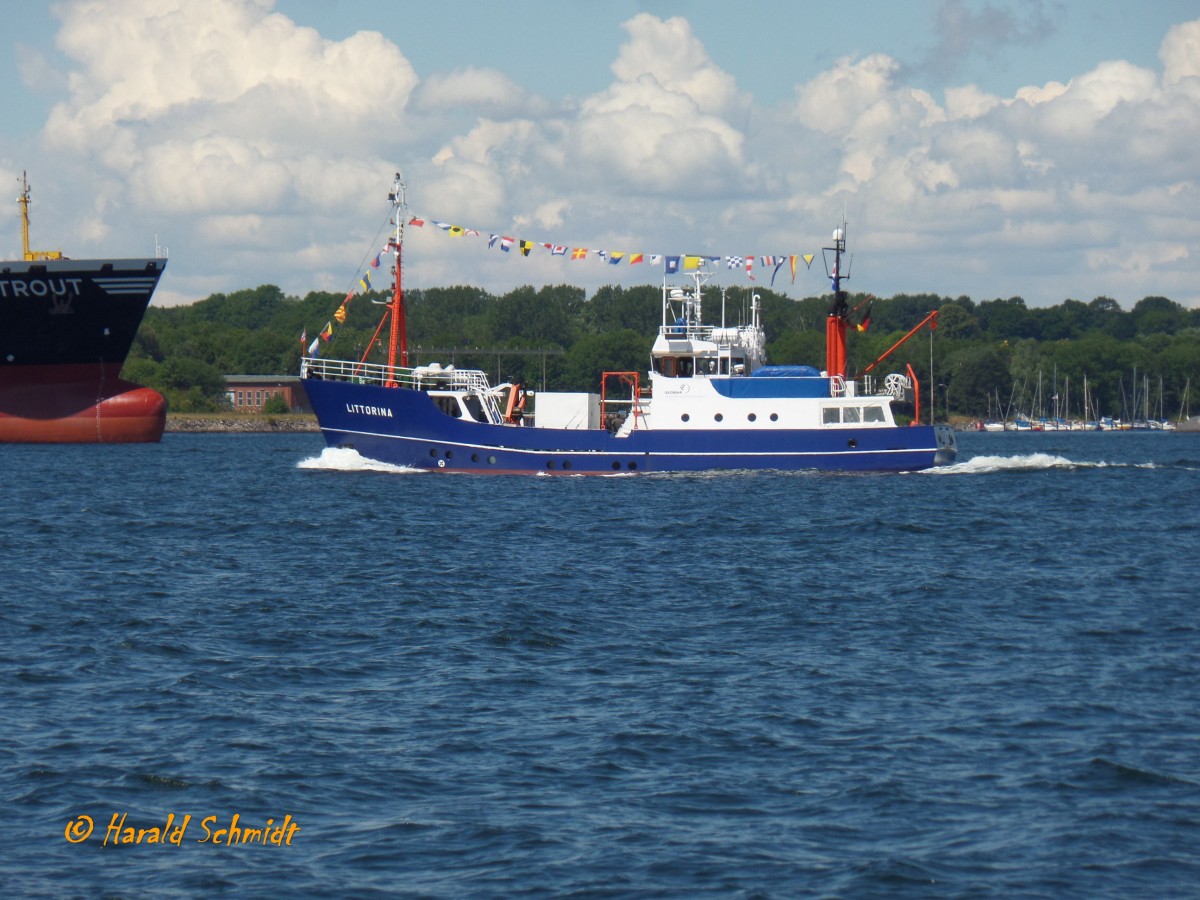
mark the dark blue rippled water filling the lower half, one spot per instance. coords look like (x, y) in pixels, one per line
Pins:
(980, 682)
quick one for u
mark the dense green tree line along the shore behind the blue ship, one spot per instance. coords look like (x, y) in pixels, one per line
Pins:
(985, 355)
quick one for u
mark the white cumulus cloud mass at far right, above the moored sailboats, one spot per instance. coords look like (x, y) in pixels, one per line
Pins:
(1082, 167)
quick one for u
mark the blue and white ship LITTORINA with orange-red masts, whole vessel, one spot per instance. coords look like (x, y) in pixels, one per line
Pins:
(707, 401)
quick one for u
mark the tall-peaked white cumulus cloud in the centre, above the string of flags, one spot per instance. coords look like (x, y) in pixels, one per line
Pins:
(661, 130)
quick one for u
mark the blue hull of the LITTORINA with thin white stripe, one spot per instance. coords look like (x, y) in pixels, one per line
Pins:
(405, 428)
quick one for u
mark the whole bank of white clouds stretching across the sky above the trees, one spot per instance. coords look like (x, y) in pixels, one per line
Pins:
(247, 135)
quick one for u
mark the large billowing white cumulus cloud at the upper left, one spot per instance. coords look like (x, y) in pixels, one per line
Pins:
(218, 105)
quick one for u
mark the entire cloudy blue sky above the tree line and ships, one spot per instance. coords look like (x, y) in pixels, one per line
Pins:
(986, 148)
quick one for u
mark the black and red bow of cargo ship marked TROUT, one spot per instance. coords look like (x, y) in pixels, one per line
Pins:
(68, 328)
